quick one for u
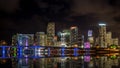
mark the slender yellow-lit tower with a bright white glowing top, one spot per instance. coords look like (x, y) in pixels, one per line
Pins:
(102, 35)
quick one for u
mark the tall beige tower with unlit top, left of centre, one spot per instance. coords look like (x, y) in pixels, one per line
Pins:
(50, 33)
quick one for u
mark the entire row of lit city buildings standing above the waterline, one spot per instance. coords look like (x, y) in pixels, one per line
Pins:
(65, 38)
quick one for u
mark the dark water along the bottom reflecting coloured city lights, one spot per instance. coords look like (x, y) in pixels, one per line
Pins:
(88, 61)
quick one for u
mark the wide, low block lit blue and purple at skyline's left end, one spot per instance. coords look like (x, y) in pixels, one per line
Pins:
(22, 39)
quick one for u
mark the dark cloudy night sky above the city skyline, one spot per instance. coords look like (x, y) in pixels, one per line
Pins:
(30, 16)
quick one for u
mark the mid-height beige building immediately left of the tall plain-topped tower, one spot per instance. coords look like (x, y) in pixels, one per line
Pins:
(41, 39)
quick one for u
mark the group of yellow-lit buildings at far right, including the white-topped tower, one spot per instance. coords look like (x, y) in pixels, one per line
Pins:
(104, 38)
